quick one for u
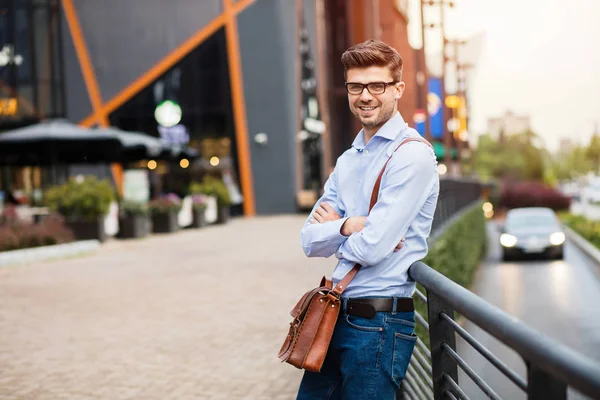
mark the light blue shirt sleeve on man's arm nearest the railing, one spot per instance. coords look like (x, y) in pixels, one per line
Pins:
(408, 181)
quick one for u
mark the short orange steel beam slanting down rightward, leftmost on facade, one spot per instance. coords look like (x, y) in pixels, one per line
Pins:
(84, 61)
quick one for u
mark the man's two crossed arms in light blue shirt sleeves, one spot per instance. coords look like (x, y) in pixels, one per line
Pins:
(368, 240)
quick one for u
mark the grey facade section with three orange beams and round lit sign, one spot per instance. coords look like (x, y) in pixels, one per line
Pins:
(231, 66)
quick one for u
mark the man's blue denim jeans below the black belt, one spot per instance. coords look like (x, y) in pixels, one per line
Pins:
(367, 358)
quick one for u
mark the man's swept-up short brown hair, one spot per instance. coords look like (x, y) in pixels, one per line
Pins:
(373, 53)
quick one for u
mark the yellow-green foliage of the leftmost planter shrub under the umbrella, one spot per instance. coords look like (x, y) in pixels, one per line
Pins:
(87, 198)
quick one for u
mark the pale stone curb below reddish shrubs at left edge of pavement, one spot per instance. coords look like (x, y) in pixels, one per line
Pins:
(24, 256)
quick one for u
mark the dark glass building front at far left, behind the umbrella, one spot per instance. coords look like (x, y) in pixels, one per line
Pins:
(32, 85)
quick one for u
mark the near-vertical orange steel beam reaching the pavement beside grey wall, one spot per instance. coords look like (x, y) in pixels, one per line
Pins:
(239, 108)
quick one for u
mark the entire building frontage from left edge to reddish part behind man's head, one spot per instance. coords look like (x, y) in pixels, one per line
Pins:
(256, 86)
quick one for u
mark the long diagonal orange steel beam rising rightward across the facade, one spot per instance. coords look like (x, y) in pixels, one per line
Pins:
(165, 64)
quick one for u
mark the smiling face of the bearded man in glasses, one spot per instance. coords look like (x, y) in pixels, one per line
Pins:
(373, 110)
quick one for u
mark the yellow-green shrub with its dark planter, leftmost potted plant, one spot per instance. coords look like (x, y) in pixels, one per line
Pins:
(84, 203)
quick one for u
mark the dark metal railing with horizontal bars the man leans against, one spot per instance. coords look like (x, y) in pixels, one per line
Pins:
(433, 372)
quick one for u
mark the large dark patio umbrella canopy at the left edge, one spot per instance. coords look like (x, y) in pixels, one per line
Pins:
(57, 142)
